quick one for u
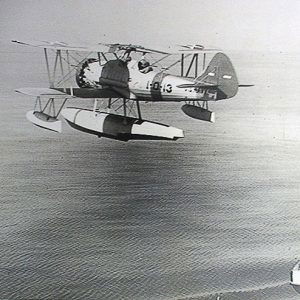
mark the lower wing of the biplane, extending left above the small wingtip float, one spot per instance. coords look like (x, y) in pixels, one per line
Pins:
(70, 92)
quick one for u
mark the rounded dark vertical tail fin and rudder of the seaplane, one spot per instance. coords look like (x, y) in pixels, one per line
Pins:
(220, 73)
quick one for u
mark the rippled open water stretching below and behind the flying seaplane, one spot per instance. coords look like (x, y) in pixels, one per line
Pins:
(216, 213)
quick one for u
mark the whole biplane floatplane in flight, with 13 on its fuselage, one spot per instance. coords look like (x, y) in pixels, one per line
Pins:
(108, 73)
